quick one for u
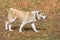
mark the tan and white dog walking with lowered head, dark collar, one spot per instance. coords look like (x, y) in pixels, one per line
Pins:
(24, 17)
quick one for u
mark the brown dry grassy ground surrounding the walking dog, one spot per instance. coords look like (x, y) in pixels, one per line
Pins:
(48, 30)
